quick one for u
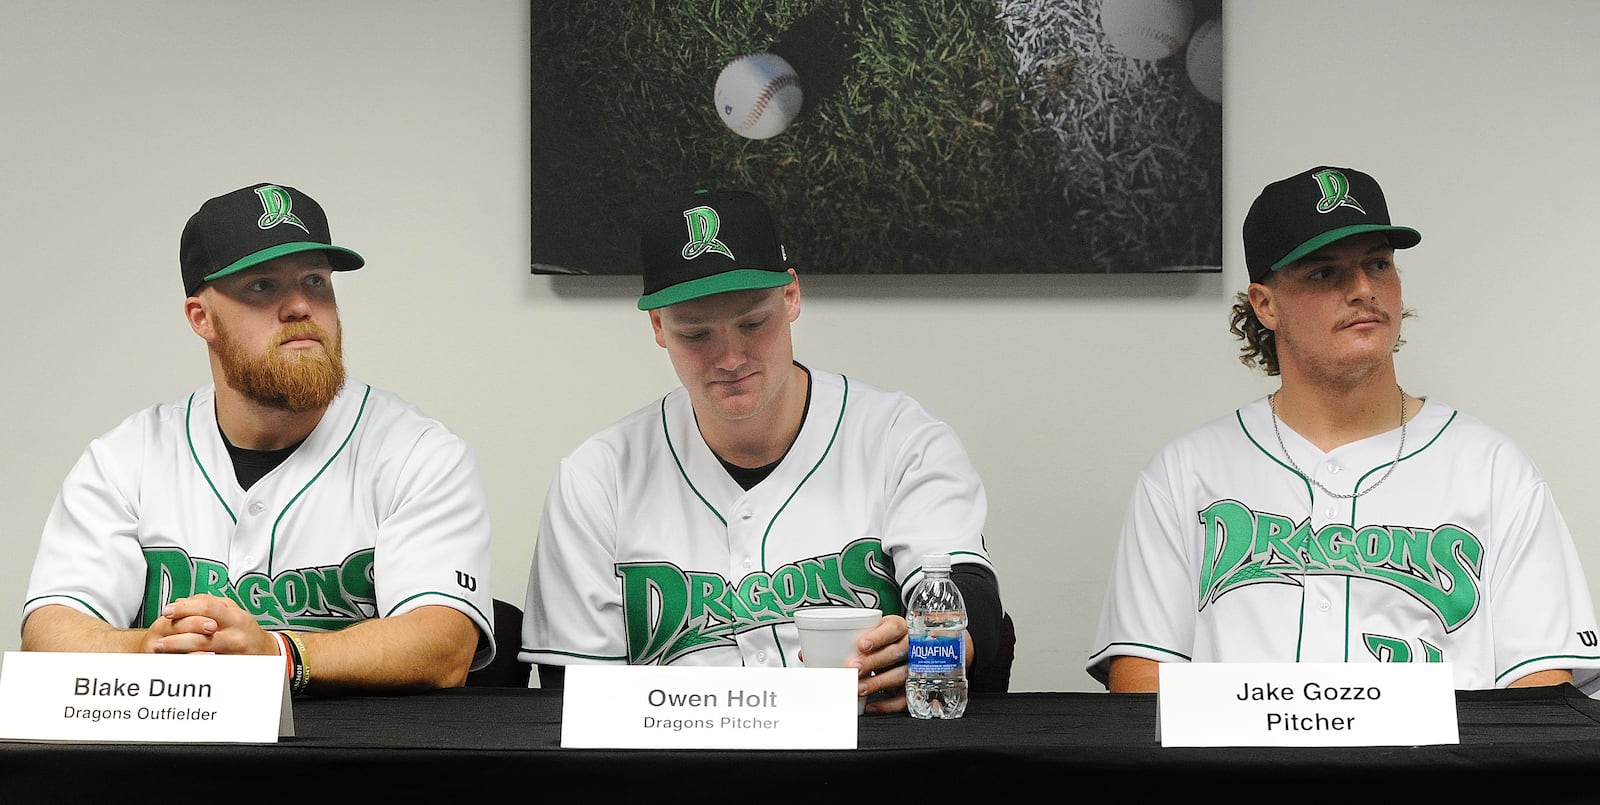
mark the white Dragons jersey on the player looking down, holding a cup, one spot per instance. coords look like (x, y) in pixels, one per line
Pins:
(650, 555)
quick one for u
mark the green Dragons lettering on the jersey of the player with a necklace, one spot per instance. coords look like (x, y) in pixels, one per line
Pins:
(1439, 567)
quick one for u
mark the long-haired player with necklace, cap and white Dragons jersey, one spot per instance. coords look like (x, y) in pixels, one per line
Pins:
(1342, 519)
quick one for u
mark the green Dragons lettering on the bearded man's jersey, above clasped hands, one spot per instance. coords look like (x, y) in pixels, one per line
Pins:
(319, 599)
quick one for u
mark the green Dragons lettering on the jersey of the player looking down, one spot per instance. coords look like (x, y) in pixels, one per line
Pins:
(670, 614)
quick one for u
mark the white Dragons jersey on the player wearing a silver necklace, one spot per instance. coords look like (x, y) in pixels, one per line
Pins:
(1462, 556)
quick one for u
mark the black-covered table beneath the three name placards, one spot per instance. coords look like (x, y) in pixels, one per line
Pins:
(462, 745)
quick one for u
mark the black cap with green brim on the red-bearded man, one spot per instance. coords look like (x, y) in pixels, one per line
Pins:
(252, 226)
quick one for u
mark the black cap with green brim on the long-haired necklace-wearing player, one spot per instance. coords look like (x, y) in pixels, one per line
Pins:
(1295, 217)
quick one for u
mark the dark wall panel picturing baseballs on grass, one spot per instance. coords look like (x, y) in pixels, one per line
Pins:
(940, 137)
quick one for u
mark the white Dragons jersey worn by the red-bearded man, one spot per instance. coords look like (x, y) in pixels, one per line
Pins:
(378, 513)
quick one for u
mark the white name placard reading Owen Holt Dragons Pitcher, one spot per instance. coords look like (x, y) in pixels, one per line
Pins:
(708, 708)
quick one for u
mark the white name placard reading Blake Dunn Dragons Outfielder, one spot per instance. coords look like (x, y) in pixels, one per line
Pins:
(151, 699)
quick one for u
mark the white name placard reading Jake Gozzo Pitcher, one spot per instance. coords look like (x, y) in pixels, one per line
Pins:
(1306, 705)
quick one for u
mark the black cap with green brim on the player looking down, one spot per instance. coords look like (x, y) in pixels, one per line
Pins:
(711, 242)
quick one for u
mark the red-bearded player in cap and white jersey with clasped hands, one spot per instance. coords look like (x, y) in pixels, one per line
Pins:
(282, 510)
